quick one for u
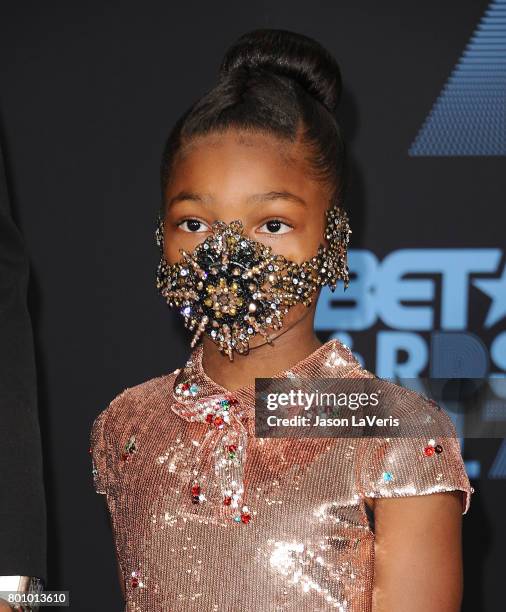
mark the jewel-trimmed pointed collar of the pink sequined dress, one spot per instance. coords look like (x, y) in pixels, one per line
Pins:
(193, 386)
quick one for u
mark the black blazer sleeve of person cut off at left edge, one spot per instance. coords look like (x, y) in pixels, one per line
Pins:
(22, 497)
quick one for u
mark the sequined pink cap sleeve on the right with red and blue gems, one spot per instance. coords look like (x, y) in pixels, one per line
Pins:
(416, 465)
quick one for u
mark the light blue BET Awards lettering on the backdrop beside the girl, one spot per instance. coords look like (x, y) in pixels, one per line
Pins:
(422, 297)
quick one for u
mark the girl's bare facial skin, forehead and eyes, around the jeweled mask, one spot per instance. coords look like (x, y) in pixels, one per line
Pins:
(257, 178)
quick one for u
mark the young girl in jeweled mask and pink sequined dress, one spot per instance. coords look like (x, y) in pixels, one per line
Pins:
(205, 515)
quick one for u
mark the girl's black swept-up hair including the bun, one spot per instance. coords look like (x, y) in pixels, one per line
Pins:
(277, 82)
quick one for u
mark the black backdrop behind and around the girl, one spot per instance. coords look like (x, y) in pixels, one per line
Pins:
(88, 93)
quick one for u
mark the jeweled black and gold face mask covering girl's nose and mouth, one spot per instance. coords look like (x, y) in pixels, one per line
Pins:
(232, 287)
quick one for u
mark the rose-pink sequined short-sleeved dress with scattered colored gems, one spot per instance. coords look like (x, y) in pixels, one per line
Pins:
(208, 517)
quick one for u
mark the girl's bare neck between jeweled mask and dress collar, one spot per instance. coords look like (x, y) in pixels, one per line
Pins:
(263, 361)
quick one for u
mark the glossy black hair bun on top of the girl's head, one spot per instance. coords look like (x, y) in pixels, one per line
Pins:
(288, 54)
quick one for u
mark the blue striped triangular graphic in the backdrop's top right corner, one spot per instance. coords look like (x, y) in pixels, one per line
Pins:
(469, 117)
